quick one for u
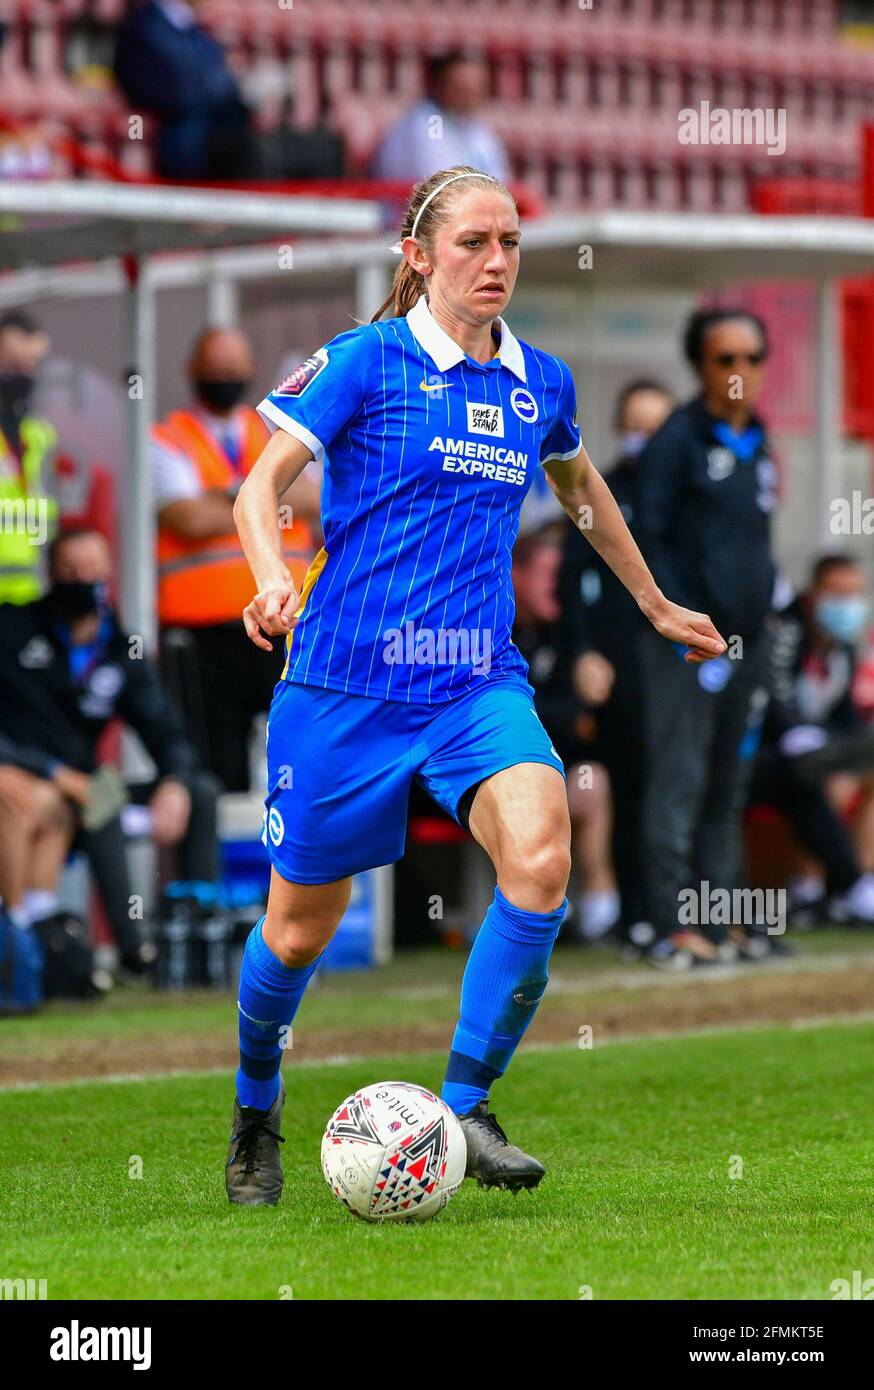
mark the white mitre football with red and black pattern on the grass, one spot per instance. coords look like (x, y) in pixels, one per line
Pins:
(394, 1152)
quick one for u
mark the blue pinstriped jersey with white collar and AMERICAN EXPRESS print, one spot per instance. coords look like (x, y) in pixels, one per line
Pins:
(429, 457)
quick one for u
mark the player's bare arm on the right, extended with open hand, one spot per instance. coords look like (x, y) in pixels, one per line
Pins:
(590, 504)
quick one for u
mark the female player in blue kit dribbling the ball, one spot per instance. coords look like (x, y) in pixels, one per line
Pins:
(399, 657)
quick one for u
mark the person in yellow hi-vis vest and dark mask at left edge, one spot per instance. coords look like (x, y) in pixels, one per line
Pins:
(28, 508)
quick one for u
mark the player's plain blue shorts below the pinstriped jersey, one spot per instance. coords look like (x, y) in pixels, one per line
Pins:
(340, 769)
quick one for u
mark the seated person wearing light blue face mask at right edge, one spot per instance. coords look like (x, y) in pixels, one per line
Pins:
(814, 732)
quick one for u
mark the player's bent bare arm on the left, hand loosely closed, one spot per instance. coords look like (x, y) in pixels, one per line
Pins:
(256, 514)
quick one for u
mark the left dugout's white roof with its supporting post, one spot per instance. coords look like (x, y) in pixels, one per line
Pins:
(74, 238)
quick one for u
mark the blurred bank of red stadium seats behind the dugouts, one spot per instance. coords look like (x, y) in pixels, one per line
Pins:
(566, 81)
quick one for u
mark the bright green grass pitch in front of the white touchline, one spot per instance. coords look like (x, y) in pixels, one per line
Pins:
(638, 1203)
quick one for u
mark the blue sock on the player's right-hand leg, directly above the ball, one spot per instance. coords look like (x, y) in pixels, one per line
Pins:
(504, 983)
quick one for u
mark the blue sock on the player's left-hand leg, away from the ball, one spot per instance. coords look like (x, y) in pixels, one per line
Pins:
(270, 995)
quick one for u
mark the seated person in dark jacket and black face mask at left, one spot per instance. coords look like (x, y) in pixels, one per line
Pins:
(66, 672)
